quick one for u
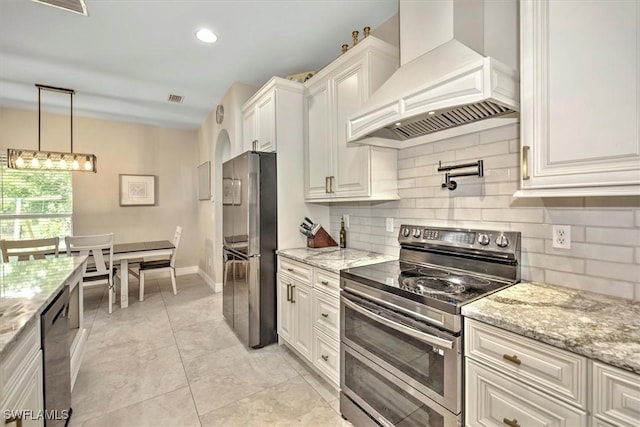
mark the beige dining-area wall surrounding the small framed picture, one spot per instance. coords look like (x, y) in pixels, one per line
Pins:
(122, 148)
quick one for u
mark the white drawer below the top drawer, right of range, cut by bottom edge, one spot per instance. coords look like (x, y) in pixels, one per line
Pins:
(496, 400)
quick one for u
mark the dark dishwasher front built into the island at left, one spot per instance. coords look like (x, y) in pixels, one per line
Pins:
(54, 323)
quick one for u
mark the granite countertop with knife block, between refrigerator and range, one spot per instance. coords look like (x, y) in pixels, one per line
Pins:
(333, 258)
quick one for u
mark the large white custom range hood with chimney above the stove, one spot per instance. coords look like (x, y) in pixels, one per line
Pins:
(458, 74)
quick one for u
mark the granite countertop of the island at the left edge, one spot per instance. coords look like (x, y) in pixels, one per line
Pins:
(26, 287)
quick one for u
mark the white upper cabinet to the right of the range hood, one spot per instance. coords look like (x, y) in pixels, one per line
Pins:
(580, 96)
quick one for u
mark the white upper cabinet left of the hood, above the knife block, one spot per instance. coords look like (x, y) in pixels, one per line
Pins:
(335, 171)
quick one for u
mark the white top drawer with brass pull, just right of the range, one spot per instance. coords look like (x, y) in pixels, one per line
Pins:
(540, 365)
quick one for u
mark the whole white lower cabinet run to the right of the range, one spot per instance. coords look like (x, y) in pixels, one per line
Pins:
(517, 381)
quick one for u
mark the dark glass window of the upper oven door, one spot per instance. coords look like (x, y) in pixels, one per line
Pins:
(419, 361)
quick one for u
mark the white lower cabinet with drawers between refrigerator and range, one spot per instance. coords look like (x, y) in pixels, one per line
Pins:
(309, 315)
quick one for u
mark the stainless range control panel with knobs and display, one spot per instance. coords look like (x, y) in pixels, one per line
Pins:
(491, 240)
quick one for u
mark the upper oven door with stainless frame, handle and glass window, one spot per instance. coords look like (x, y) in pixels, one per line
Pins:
(424, 357)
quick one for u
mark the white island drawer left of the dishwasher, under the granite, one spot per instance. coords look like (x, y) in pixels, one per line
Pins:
(18, 358)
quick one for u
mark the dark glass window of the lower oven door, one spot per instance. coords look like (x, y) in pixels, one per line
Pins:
(394, 404)
